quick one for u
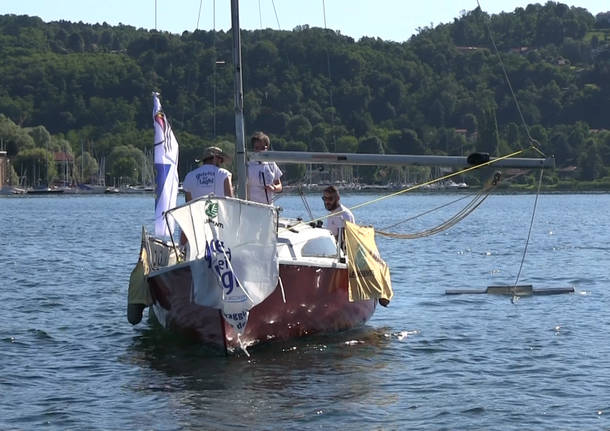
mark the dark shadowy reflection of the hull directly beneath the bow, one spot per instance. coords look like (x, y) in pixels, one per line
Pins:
(176, 356)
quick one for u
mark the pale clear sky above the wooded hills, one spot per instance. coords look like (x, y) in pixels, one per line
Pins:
(395, 20)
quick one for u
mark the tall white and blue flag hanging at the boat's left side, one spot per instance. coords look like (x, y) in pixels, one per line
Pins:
(166, 169)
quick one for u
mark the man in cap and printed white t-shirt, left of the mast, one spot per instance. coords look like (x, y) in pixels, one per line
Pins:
(209, 177)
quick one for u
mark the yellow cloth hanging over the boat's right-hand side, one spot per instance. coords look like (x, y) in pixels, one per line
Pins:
(369, 275)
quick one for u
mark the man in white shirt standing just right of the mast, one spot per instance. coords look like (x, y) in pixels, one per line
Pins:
(263, 177)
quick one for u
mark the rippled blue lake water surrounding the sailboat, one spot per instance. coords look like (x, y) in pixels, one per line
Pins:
(70, 360)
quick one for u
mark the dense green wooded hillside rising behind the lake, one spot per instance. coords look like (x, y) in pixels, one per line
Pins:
(70, 84)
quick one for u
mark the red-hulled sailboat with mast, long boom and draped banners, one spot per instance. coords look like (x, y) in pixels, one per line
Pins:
(248, 276)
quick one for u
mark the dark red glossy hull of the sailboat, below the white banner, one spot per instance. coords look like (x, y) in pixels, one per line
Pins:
(316, 301)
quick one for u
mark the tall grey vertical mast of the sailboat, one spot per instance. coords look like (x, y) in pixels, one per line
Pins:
(240, 146)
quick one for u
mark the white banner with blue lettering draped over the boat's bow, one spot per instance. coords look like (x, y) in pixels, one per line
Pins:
(232, 252)
